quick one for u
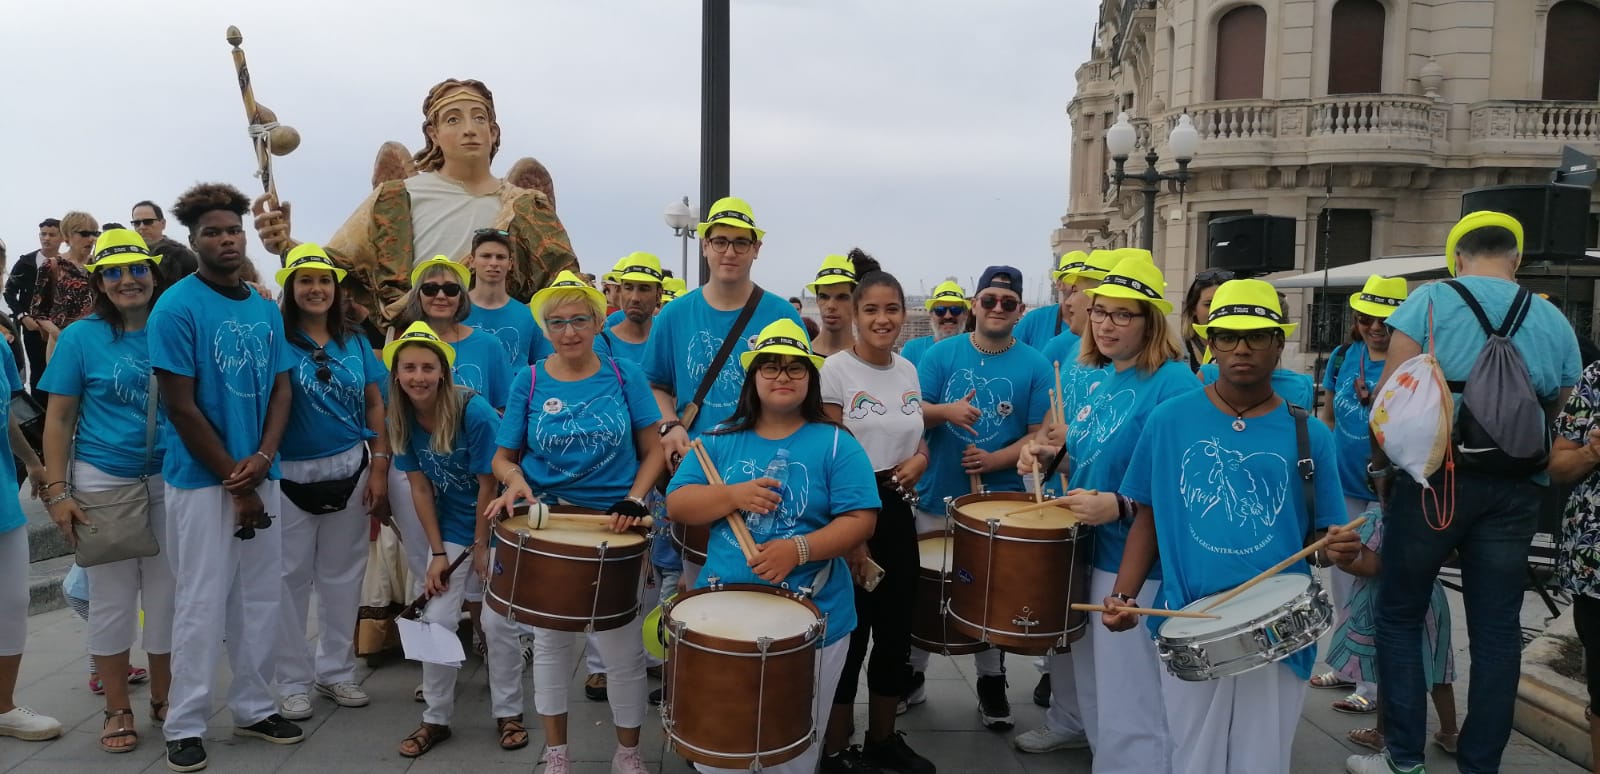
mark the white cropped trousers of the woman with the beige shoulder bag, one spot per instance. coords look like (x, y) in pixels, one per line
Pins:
(121, 589)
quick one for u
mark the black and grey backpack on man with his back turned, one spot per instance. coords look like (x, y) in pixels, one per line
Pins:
(1502, 429)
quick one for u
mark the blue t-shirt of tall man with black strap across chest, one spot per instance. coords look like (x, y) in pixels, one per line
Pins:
(687, 337)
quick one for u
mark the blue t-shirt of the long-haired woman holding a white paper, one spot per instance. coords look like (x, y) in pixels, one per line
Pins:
(455, 476)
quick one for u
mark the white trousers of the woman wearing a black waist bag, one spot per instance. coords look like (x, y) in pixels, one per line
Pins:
(327, 553)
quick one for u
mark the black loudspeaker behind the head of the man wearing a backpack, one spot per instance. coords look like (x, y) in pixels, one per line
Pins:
(1554, 217)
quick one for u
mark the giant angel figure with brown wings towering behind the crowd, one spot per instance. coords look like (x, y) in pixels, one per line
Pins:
(410, 218)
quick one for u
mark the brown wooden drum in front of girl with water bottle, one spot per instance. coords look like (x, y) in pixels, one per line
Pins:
(742, 676)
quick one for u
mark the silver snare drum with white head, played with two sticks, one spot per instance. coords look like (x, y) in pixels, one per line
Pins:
(1258, 628)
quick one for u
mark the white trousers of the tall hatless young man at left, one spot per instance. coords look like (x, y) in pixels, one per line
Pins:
(228, 591)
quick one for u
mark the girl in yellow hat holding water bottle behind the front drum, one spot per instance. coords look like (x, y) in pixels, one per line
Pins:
(822, 505)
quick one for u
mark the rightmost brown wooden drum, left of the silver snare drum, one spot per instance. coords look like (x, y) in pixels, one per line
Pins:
(1017, 575)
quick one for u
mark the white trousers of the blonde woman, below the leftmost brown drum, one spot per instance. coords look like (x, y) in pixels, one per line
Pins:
(623, 652)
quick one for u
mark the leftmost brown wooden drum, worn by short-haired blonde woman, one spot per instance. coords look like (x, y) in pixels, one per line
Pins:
(567, 578)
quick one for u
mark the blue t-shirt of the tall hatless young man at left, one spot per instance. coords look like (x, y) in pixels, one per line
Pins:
(233, 351)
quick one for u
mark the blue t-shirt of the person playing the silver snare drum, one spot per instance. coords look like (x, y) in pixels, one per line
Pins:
(1228, 505)
